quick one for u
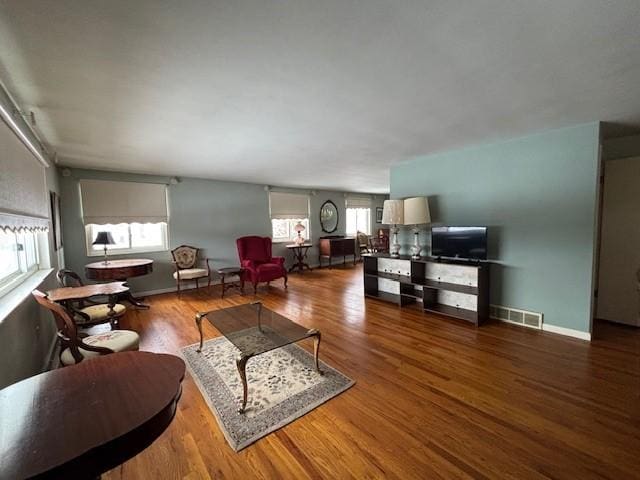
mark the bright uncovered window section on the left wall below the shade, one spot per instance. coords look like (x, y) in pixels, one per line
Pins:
(18, 258)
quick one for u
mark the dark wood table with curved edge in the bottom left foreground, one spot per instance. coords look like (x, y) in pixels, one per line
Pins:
(82, 420)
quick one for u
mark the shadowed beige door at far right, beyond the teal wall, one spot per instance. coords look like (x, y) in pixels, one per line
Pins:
(618, 296)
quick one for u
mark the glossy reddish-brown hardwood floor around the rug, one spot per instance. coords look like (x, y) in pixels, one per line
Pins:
(434, 398)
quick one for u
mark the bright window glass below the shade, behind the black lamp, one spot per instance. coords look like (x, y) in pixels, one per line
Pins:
(129, 237)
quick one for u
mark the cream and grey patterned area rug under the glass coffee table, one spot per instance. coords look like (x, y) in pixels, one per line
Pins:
(283, 385)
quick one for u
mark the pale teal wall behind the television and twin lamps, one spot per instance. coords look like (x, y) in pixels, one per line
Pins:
(538, 196)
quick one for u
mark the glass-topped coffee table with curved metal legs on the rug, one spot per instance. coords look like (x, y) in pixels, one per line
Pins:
(254, 329)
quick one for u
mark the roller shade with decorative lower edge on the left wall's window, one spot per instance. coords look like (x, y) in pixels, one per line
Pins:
(23, 191)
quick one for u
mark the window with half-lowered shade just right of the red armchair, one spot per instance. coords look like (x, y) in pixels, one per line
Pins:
(286, 210)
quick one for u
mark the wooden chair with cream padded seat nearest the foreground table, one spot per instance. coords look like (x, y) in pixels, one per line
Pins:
(75, 348)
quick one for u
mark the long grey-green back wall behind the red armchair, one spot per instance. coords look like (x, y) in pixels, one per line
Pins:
(209, 214)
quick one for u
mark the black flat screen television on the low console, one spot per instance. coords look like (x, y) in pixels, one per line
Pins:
(459, 242)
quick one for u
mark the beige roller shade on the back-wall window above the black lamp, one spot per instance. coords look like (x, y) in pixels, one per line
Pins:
(123, 202)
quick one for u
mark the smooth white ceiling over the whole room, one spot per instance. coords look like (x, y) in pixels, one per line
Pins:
(322, 93)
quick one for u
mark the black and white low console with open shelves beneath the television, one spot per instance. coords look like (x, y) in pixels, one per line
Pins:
(448, 287)
